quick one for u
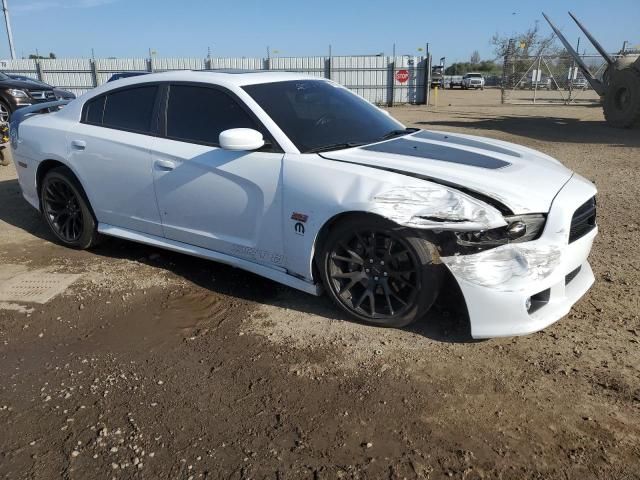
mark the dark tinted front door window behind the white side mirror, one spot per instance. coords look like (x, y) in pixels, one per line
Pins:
(199, 114)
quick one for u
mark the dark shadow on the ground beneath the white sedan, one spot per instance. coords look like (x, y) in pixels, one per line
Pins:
(443, 323)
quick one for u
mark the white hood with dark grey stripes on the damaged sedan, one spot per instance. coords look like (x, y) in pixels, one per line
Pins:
(522, 179)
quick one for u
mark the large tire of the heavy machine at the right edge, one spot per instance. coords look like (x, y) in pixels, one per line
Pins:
(622, 100)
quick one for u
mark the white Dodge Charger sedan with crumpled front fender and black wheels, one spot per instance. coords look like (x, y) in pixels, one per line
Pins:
(300, 180)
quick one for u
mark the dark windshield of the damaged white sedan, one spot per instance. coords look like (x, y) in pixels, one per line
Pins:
(317, 114)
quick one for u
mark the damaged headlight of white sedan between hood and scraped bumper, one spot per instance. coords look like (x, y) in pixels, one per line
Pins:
(519, 228)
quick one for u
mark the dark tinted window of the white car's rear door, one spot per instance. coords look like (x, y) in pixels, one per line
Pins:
(130, 109)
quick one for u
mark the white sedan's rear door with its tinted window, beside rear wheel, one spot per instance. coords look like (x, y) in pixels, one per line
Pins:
(110, 152)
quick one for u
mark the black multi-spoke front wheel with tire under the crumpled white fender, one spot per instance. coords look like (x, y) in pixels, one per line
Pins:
(379, 272)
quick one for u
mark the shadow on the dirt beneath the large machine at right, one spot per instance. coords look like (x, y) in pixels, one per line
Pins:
(544, 128)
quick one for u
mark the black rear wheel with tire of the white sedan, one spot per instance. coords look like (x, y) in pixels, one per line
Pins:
(66, 210)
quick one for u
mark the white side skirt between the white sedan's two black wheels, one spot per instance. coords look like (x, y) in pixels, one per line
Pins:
(270, 273)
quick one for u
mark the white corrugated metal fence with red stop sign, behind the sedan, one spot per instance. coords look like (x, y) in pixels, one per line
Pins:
(382, 80)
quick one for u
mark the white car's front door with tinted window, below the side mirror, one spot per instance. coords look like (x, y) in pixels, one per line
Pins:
(227, 201)
